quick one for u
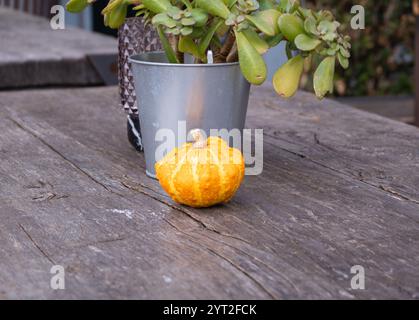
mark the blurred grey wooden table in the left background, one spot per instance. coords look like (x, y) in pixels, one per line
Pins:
(33, 55)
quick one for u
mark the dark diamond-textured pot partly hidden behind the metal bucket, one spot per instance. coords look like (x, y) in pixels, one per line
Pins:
(133, 37)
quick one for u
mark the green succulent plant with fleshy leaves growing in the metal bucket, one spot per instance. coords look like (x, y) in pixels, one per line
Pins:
(242, 30)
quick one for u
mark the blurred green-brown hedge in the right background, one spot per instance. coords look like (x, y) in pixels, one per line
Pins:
(382, 54)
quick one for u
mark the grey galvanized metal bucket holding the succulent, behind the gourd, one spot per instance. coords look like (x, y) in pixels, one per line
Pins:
(205, 96)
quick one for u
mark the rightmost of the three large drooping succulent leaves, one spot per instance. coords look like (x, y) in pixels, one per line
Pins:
(323, 77)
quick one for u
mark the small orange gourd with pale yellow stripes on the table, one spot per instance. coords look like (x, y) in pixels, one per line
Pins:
(202, 177)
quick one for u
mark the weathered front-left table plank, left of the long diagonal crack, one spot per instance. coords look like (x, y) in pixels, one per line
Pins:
(98, 232)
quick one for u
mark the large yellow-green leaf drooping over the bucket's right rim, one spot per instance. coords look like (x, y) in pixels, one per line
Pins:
(251, 62)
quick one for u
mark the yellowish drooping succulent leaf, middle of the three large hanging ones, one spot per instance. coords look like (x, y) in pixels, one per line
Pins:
(287, 78)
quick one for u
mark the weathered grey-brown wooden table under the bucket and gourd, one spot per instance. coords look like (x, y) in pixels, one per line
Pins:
(340, 188)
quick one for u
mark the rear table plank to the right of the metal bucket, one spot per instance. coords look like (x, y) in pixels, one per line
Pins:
(366, 147)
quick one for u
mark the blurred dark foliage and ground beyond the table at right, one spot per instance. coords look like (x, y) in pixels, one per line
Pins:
(383, 57)
